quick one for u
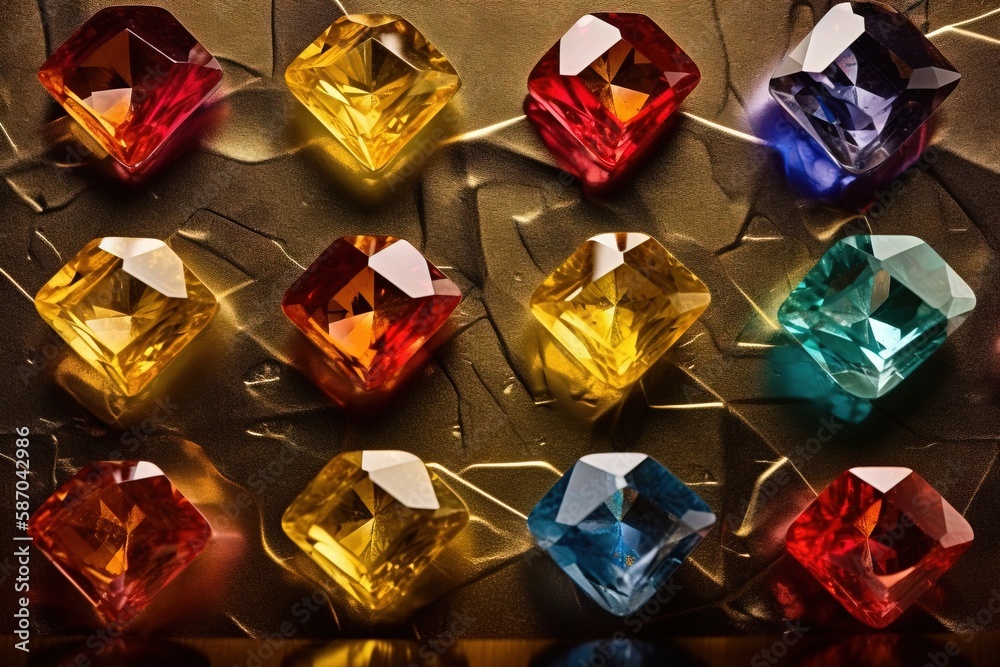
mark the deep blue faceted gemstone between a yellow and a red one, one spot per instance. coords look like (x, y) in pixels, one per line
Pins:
(619, 525)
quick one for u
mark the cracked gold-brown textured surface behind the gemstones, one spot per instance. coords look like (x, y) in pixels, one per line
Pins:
(498, 410)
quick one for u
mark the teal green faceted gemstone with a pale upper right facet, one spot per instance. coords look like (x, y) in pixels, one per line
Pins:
(874, 308)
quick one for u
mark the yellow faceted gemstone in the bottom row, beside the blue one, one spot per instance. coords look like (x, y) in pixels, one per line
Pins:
(373, 521)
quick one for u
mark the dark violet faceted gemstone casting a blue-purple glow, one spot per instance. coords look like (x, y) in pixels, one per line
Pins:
(862, 82)
